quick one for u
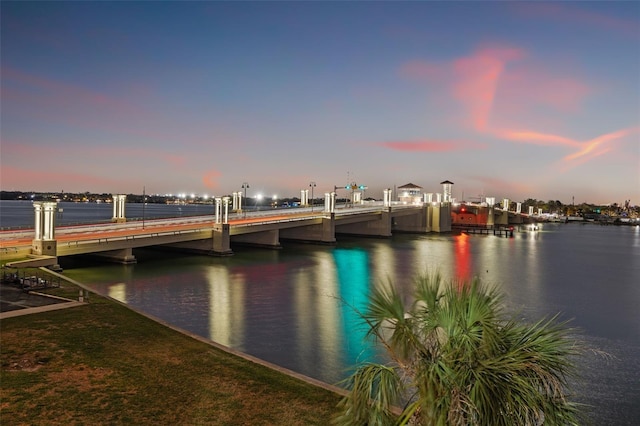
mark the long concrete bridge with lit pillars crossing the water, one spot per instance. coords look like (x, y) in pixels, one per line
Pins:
(215, 234)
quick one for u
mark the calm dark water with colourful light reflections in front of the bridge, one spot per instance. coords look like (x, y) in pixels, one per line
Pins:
(288, 306)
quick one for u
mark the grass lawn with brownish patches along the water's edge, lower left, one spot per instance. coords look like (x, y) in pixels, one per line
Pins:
(102, 363)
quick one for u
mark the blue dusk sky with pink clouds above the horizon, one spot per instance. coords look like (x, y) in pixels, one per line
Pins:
(505, 99)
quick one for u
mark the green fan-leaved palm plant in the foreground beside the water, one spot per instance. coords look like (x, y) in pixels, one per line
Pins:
(457, 359)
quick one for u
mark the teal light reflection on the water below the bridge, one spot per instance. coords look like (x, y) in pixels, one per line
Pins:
(352, 267)
